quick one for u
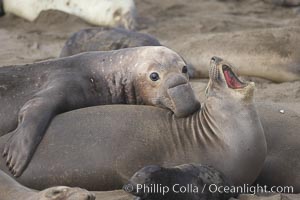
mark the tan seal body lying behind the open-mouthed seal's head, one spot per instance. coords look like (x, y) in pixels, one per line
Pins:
(266, 53)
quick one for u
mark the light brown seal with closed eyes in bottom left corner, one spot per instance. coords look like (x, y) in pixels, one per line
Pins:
(12, 190)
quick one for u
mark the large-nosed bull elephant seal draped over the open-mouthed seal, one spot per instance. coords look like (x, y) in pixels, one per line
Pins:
(33, 94)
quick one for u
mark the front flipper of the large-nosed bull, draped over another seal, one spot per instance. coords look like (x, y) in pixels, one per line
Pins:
(33, 120)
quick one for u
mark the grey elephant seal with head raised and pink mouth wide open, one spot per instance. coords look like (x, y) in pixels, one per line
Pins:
(121, 139)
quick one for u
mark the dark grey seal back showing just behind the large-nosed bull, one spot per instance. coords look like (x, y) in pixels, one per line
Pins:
(105, 39)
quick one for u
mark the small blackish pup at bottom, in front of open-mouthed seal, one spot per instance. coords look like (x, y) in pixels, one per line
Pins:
(188, 181)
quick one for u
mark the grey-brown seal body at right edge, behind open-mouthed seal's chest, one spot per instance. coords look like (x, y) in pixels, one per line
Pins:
(282, 130)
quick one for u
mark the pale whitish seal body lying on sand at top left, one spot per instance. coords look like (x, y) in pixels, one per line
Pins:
(102, 13)
